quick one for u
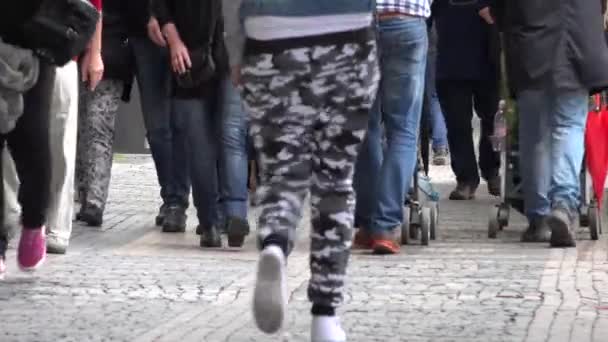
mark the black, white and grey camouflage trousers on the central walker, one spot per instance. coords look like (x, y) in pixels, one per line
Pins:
(308, 112)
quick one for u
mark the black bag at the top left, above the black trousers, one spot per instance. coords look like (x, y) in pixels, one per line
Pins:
(61, 29)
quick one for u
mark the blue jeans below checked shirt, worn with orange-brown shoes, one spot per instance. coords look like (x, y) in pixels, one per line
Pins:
(383, 177)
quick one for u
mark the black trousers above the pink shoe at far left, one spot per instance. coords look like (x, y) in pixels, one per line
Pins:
(29, 146)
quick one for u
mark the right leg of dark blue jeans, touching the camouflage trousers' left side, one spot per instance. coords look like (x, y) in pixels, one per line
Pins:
(233, 152)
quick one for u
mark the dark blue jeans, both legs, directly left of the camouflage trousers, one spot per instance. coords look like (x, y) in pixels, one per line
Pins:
(216, 141)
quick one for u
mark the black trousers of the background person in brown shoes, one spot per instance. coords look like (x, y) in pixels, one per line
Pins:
(458, 100)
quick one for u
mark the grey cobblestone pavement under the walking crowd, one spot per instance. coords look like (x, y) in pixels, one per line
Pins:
(129, 282)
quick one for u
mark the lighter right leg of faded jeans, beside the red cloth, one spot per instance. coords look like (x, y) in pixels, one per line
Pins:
(567, 128)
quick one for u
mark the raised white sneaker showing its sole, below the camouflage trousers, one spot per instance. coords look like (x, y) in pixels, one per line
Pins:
(270, 295)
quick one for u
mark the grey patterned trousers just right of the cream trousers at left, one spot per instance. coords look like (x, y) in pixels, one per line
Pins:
(97, 116)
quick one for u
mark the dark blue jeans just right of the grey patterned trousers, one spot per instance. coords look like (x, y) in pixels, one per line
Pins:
(166, 137)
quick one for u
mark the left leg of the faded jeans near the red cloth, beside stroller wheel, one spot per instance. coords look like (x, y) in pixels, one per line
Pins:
(535, 138)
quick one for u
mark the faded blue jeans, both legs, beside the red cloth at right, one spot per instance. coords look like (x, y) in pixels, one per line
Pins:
(551, 132)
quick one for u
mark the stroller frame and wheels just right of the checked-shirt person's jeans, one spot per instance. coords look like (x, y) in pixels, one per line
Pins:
(421, 208)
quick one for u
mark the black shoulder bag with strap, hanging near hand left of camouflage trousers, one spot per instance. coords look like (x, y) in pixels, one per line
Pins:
(203, 66)
